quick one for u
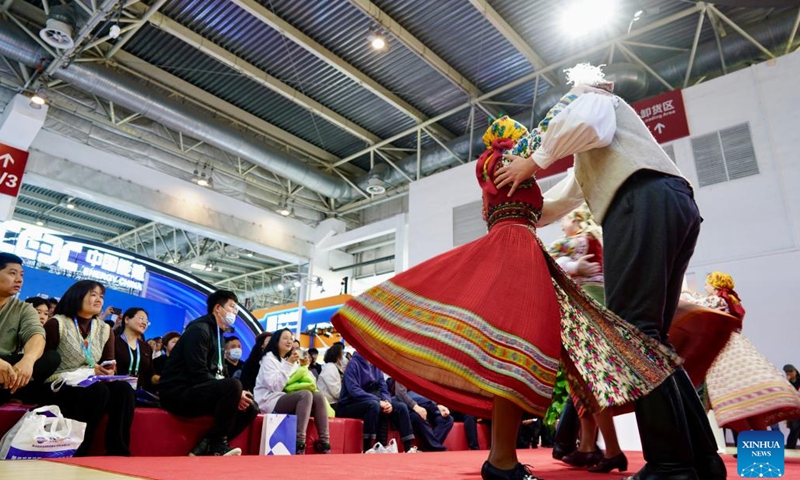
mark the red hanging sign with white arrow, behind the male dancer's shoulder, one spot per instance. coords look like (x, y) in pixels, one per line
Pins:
(664, 115)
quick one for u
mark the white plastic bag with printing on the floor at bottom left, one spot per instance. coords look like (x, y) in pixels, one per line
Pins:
(42, 433)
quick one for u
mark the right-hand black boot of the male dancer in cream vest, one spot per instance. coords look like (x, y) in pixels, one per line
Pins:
(707, 461)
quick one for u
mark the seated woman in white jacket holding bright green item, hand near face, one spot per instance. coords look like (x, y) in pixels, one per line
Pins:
(279, 363)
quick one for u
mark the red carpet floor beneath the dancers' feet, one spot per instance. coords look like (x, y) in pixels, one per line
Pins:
(456, 465)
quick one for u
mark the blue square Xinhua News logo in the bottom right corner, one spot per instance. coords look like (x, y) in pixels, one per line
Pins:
(761, 454)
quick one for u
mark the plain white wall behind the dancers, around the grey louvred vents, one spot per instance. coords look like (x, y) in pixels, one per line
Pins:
(751, 227)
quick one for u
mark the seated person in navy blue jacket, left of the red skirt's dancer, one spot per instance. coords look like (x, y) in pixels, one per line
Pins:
(365, 395)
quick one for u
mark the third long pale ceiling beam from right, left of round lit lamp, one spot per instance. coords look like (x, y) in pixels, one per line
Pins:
(285, 28)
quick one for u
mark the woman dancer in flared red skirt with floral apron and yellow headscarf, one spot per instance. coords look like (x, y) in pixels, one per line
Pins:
(484, 326)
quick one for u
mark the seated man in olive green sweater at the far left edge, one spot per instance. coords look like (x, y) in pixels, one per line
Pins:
(21, 374)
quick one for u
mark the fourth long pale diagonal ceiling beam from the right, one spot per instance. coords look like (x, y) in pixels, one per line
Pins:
(259, 76)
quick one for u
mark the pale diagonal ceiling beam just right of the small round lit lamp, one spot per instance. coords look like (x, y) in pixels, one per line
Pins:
(415, 45)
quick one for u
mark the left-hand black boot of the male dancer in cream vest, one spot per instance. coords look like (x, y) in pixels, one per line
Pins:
(666, 444)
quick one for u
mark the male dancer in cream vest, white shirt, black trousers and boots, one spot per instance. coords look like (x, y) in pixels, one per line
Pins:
(650, 227)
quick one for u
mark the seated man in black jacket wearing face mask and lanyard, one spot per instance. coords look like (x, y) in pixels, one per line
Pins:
(193, 382)
